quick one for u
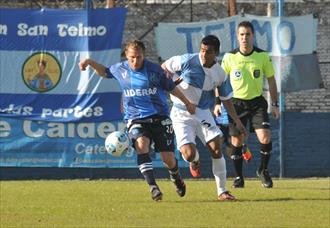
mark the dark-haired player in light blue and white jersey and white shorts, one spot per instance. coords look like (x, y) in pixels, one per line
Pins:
(201, 74)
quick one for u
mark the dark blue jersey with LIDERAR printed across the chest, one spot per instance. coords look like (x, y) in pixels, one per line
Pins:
(143, 90)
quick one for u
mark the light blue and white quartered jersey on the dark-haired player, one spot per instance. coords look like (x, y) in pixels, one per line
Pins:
(198, 82)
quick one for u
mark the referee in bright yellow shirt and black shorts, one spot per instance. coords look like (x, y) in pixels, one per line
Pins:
(247, 66)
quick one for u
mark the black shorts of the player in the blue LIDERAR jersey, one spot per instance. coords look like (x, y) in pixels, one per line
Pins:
(158, 129)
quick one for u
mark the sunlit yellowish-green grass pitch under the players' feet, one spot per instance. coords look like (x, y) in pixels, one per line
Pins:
(127, 203)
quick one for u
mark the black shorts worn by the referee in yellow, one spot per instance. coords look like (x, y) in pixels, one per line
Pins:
(252, 112)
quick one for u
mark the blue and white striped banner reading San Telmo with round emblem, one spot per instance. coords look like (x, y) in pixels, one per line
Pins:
(39, 55)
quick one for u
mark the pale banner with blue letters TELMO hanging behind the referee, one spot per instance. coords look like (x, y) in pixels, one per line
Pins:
(282, 37)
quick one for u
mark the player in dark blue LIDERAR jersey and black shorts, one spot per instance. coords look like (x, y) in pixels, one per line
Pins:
(146, 111)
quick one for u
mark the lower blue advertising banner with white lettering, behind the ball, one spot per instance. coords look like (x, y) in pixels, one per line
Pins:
(26, 143)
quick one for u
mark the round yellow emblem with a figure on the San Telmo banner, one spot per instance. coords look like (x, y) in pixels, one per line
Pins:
(41, 72)
